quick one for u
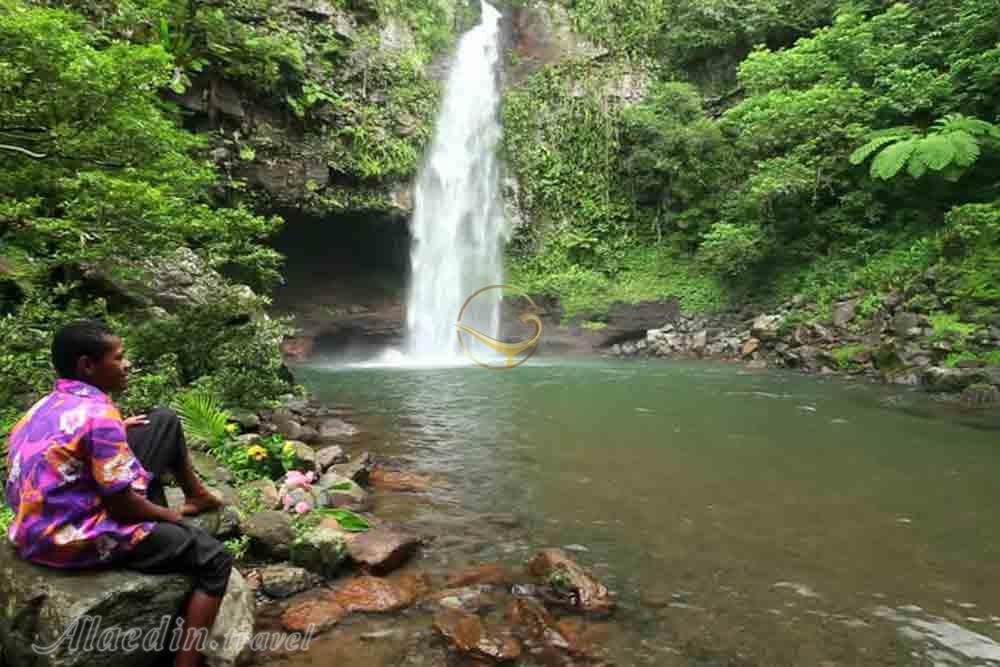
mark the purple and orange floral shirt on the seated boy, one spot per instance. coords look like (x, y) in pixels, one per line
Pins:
(64, 455)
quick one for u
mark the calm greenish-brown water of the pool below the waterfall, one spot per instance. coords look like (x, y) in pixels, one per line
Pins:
(742, 517)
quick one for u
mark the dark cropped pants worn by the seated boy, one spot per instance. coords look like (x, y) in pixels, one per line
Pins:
(173, 548)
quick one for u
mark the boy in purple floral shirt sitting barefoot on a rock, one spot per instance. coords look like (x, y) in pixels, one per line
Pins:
(88, 494)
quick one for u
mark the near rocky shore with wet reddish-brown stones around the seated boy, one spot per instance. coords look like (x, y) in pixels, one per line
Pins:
(301, 576)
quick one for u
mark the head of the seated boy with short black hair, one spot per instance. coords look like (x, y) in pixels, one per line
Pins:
(89, 351)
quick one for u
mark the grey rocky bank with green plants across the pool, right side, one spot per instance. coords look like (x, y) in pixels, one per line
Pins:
(903, 339)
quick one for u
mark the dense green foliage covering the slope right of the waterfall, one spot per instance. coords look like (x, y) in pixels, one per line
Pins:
(764, 148)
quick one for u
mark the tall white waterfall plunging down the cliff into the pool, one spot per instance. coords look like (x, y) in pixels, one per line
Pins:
(458, 223)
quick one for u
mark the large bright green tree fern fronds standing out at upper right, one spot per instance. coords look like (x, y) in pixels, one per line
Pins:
(952, 145)
